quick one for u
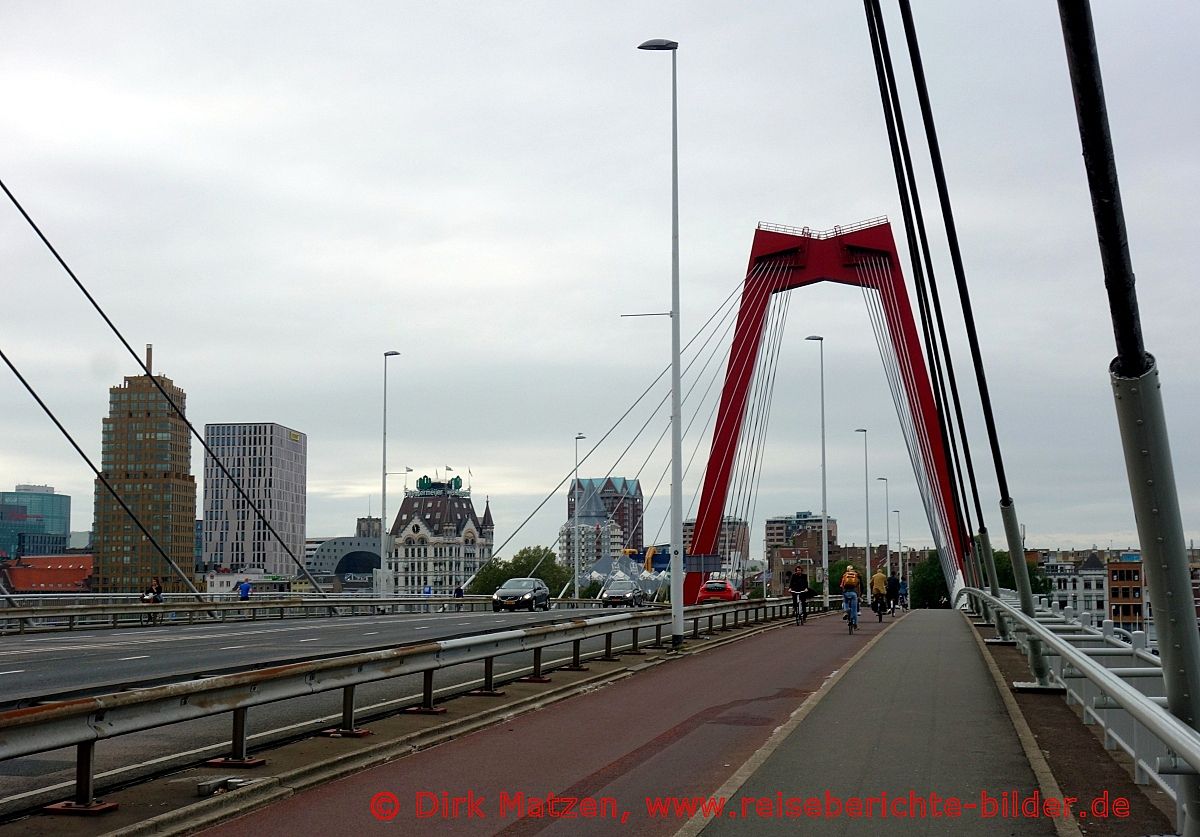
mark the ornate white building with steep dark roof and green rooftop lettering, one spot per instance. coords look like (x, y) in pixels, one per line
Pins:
(437, 541)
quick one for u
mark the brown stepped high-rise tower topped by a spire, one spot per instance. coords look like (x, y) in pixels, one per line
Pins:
(147, 457)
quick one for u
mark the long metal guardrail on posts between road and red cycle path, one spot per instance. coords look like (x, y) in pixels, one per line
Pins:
(82, 722)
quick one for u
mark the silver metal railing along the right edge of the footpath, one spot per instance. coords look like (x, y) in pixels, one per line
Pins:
(1118, 685)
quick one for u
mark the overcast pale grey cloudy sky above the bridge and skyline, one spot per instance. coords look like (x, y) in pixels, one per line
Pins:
(277, 194)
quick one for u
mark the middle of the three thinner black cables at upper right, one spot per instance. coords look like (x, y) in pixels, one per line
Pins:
(892, 105)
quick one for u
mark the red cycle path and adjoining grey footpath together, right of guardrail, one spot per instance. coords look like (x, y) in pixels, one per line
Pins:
(776, 718)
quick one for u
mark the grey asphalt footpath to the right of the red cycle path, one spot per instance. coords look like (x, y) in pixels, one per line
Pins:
(911, 724)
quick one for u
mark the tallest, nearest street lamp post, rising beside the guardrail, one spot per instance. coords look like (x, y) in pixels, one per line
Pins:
(676, 419)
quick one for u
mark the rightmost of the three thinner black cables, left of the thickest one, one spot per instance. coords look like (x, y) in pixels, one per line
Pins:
(1007, 508)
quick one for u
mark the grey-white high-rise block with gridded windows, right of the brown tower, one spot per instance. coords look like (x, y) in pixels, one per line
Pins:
(271, 463)
